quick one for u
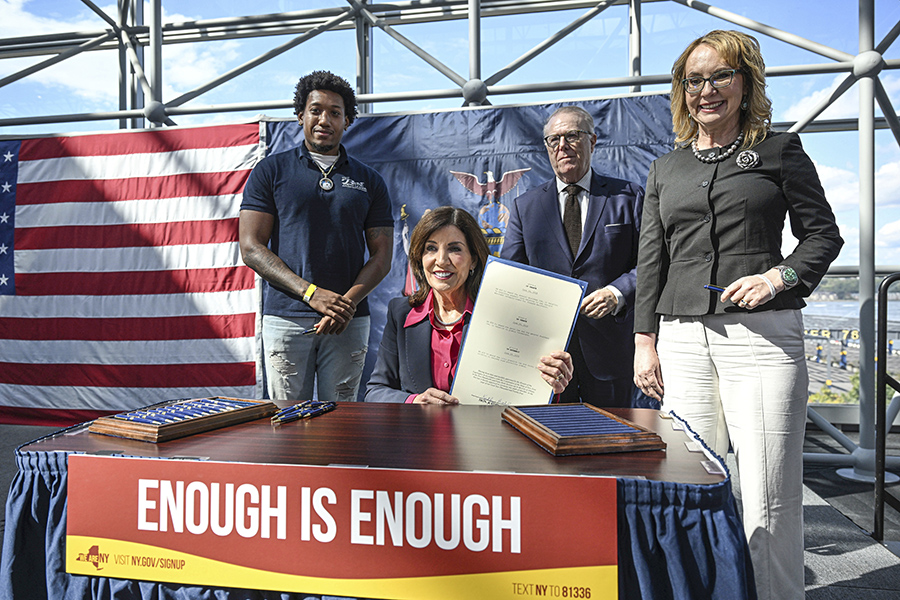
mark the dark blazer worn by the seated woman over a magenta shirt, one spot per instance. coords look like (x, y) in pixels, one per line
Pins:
(403, 366)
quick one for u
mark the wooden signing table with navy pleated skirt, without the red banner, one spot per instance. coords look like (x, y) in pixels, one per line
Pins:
(679, 533)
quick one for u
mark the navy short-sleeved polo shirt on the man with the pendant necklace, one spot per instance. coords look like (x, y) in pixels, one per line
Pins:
(319, 234)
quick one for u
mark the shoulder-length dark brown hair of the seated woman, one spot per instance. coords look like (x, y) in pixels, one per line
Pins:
(438, 219)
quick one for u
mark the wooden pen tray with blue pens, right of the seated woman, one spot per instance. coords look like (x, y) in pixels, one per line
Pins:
(568, 429)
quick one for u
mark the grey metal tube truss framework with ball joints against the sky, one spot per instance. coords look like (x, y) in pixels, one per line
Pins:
(138, 39)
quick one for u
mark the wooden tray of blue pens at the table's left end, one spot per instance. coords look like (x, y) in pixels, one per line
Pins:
(178, 418)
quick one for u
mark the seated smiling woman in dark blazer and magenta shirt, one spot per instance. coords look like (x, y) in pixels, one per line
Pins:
(423, 334)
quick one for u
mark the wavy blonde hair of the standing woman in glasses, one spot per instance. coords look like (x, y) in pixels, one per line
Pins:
(741, 52)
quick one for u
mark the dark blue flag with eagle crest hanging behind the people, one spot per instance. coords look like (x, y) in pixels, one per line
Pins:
(417, 154)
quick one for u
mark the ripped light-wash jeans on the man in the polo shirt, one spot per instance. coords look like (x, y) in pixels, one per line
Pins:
(296, 364)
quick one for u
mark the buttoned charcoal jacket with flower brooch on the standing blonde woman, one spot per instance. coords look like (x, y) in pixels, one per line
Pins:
(715, 223)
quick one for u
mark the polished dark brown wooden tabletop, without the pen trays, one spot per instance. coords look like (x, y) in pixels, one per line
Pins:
(451, 438)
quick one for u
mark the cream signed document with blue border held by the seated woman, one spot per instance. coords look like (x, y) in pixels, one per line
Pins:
(521, 314)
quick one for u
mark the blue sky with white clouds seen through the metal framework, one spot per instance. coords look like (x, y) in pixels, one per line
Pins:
(598, 49)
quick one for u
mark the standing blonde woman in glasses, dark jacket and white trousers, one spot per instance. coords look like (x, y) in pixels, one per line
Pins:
(718, 329)
